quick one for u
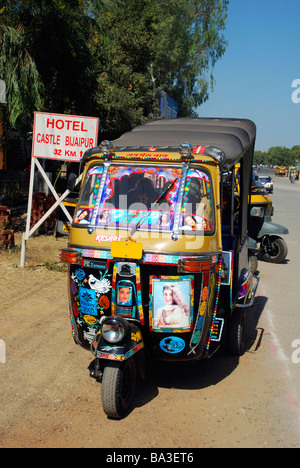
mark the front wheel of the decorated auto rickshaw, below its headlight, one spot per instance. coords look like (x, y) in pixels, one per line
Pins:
(118, 386)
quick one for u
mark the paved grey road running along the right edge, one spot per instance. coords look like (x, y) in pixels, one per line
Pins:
(280, 285)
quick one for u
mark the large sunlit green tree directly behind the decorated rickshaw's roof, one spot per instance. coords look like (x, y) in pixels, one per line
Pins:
(146, 46)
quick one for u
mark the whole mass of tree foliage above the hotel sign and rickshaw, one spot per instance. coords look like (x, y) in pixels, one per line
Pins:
(112, 58)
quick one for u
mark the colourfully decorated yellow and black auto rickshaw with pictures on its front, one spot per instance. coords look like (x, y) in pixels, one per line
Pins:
(158, 259)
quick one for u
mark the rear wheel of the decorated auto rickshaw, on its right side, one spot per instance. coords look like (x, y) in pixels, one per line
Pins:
(237, 332)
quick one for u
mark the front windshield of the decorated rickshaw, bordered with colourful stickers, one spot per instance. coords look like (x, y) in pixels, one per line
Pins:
(146, 198)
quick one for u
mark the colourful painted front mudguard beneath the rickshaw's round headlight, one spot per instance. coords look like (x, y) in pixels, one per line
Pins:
(119, 352)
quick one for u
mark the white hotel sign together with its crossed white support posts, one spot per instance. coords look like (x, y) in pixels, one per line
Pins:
(60, 137)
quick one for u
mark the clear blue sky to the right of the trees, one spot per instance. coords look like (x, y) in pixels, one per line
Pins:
(254, 78)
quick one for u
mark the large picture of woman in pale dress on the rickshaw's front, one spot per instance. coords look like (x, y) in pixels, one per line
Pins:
(171, 303)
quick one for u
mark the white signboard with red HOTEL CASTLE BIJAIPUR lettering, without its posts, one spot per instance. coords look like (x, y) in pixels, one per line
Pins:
(63, 137)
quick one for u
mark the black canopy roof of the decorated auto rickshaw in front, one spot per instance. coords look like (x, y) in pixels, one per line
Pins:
(232, 136)
